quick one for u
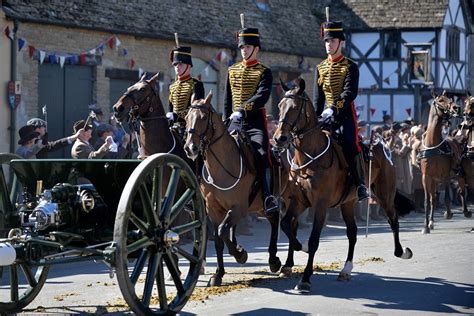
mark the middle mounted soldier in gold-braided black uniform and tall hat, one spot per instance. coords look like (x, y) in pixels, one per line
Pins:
(249, 85)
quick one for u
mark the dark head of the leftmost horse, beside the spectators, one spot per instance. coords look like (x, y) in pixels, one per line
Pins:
(137, 100)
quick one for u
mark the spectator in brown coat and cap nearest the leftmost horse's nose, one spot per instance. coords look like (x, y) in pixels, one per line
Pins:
(82, 148)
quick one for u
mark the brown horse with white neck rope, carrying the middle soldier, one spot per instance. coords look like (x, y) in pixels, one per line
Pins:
(228, 180)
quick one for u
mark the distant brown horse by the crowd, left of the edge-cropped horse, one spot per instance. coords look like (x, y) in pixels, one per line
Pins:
(438, 158)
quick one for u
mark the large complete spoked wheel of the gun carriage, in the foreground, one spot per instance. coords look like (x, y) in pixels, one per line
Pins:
(149, 238)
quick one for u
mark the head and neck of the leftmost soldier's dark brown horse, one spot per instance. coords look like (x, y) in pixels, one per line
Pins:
(141, 103)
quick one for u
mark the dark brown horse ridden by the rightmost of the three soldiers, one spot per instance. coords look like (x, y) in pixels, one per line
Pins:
(320, 172)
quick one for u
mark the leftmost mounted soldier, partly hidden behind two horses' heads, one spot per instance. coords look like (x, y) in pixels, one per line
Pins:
(184, 86)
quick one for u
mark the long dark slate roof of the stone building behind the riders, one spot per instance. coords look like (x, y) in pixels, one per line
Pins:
(290, 27)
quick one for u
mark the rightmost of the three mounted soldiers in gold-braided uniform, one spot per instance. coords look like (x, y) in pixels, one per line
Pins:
(338, 82)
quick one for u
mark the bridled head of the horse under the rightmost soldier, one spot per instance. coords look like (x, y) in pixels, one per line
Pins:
(294, 114)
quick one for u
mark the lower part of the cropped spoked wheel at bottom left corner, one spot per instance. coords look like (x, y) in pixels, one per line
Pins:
(20, 283)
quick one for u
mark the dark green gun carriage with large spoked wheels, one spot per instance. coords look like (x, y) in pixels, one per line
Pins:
(123, 212)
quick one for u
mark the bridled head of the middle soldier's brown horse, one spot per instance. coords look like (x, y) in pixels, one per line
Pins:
(199, 125)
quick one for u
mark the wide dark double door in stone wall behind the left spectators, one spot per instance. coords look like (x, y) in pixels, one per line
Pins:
(67, 93)
